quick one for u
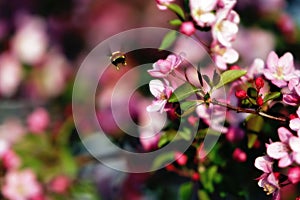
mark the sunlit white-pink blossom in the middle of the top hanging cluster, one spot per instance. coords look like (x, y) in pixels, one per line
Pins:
(225, 28)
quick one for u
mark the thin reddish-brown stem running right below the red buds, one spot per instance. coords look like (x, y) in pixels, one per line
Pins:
(246, 110)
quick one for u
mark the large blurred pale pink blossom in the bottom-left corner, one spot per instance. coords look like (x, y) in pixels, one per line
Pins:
(21, 185)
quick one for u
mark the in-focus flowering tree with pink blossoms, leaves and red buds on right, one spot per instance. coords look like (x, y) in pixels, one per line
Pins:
(263, 97)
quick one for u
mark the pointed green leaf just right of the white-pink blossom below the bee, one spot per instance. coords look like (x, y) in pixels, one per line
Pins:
(182, 92)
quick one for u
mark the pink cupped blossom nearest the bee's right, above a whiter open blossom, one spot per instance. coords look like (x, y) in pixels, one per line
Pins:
(163, 68)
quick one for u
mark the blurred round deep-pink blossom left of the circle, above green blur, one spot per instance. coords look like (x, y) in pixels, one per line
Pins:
(38, 120)
